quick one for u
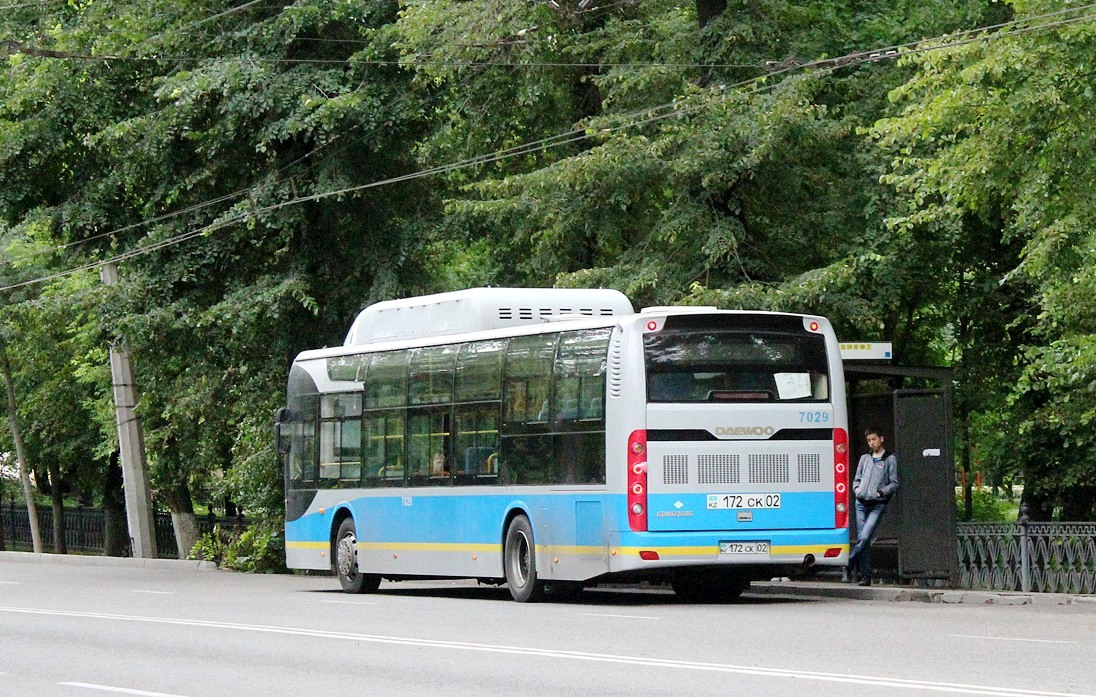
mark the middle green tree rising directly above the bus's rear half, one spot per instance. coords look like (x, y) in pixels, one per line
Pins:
(711, 168)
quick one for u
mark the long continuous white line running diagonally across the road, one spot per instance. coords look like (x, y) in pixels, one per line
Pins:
(954, 689)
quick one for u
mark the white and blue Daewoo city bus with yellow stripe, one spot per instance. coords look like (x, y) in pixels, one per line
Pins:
(552, 440)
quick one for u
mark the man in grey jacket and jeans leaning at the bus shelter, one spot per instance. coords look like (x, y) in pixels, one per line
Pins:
(875, 484)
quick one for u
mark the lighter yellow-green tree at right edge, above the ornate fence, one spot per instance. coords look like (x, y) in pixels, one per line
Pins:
(996, 131)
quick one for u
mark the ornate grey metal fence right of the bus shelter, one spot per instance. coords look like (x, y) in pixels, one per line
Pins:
(1037, 557)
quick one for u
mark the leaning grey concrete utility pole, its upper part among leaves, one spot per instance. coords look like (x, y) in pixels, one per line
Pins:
(131, 444)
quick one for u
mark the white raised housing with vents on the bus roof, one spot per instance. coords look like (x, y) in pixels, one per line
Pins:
(478, 310)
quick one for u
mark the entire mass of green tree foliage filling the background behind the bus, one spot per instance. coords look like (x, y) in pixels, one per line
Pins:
(234, 156)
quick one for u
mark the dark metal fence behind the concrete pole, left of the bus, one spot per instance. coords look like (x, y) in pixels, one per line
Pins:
(86, 530)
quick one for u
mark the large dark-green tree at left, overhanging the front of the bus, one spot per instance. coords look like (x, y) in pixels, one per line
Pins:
(232, 144)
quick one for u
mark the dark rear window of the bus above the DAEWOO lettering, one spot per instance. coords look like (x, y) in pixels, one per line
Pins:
(725, 365)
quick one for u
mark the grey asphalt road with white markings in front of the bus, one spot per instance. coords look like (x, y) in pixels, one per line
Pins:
(174, 631)
